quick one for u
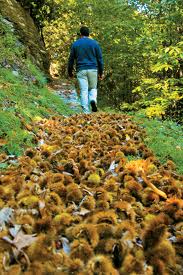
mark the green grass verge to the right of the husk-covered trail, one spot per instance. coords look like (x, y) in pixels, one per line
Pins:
(165, 138)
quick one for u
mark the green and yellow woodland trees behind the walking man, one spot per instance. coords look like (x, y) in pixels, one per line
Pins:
(141, 42)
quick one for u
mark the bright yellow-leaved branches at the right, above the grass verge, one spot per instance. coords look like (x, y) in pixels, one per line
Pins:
(163, 89)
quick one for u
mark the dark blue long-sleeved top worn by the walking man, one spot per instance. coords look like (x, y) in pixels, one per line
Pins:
(88, 55)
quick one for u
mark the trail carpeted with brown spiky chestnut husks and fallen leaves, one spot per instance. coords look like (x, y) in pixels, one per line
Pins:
(91, 198)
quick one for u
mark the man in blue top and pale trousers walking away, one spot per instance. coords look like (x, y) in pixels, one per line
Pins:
(89, 66)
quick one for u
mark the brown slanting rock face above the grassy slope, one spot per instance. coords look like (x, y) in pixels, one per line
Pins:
(27, 31)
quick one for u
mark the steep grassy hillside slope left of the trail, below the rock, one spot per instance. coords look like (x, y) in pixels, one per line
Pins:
(24, 97)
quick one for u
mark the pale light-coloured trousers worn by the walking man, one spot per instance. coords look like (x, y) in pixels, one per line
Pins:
(87, 80)
